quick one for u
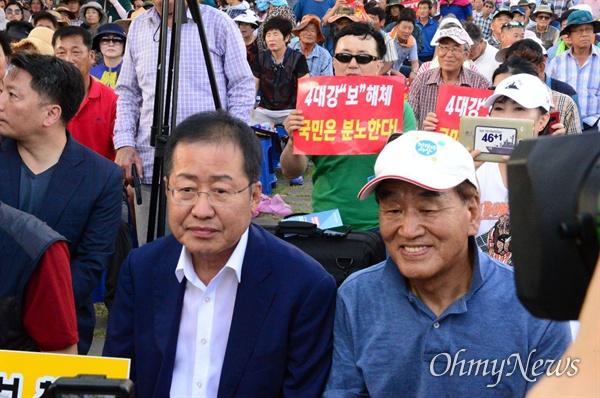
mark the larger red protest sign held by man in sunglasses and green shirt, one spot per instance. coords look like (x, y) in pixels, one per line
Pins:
(348, 115)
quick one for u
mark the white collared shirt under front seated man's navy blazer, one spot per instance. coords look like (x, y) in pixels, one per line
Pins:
(204, 326)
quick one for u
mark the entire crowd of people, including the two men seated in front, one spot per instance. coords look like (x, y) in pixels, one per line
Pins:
(220, 306)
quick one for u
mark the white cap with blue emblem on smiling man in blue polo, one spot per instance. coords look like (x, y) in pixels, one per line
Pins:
(430, 160)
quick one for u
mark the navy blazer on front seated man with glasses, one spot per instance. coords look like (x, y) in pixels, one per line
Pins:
(280, 341)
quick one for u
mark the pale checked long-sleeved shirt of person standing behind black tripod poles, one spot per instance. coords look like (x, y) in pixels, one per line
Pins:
(137, 81)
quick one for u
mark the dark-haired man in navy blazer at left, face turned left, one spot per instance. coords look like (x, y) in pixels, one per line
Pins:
(45, 172)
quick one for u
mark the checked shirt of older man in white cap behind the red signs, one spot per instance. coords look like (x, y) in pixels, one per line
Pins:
(424, 89)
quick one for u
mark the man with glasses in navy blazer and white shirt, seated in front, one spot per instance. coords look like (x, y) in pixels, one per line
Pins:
(220, 307)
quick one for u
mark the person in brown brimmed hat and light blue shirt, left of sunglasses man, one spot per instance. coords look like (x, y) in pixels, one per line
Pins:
(318, 59)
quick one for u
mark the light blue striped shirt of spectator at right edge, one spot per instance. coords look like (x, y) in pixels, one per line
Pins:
(585, 80)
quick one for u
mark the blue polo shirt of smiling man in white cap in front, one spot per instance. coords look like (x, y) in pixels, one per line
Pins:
(388, 343)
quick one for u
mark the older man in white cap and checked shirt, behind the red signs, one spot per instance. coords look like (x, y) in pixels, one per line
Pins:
(453, 46)
